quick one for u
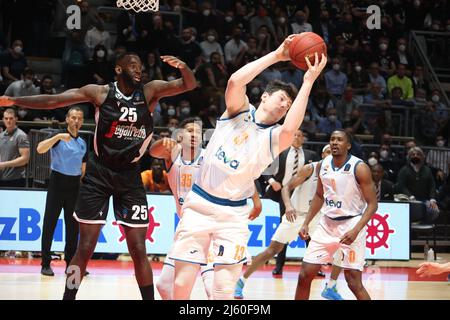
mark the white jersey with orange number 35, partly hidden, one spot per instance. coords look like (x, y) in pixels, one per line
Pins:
(181, 177)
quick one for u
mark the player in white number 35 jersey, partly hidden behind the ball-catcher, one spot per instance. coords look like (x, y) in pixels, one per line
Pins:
(183, 158)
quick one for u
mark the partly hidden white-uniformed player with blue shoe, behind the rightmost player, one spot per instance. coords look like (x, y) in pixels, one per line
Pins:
(304, 186)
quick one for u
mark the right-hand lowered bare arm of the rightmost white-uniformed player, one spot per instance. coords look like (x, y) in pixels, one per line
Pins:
(364, 178)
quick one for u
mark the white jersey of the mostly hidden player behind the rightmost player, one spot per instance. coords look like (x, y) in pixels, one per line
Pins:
(303, 194)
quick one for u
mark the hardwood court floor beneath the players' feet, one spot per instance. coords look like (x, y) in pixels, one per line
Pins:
(114, 280)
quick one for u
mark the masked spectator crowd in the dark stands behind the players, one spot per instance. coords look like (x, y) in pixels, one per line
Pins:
(370, 82)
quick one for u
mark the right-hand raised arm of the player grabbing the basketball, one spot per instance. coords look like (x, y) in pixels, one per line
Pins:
(296, 113)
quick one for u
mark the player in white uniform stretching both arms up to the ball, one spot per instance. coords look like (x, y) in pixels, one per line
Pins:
(243, 145)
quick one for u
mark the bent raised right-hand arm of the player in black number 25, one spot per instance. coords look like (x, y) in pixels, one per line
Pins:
(156, 89)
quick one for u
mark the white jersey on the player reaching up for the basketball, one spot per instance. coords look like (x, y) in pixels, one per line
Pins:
(239, 151)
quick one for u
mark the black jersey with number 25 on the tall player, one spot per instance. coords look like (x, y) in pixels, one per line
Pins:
(124, 128)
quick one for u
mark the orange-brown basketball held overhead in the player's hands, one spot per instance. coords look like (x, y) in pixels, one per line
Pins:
(304, 45)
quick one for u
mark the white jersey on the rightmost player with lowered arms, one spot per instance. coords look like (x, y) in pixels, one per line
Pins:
(342, 195)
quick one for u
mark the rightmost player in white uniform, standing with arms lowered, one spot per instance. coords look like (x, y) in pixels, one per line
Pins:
(346, 191)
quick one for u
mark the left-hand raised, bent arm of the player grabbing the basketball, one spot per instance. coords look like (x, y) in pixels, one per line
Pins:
(235, 97)
